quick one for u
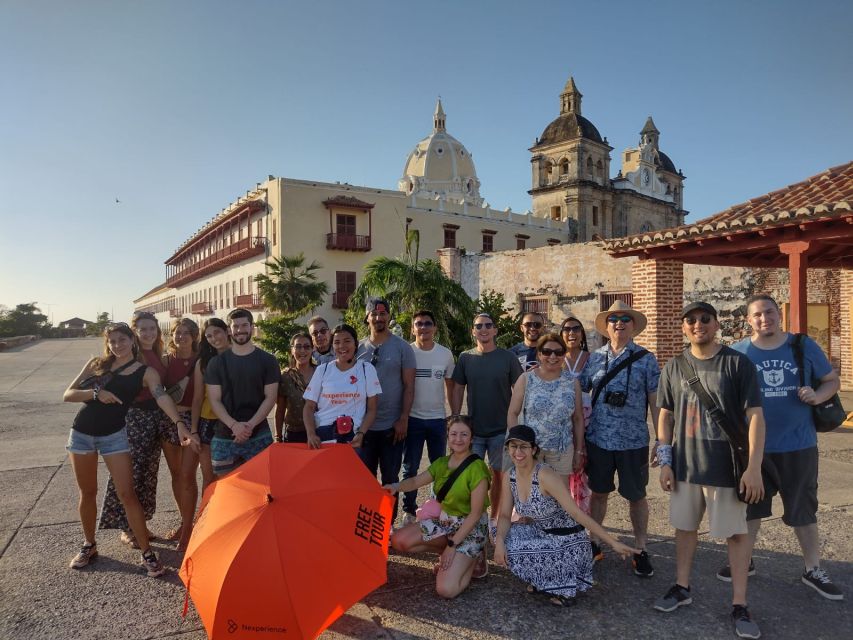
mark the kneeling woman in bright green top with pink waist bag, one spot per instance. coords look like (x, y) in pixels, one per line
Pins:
(460, 531)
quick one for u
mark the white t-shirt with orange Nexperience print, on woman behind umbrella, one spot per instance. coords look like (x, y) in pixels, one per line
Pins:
(342, 393)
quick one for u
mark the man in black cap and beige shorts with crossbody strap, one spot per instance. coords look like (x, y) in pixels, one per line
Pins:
(695, 454)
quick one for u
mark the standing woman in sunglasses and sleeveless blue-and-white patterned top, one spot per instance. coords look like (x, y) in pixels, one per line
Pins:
(547, 398)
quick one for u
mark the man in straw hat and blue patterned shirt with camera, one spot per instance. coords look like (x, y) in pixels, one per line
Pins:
(617, 439)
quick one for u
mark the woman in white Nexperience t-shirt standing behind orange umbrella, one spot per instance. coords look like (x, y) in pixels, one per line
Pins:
(340, 399)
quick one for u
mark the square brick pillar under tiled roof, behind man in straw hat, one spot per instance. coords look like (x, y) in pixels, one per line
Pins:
(658, 288)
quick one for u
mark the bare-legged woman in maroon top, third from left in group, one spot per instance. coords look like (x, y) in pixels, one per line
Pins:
(181, 457)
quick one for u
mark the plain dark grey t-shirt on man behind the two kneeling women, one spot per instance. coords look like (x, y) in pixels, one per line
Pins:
(489, 377)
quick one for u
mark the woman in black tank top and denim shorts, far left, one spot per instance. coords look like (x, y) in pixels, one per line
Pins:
(106, 386)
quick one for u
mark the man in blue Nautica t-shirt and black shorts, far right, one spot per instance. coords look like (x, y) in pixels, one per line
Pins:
(791, 443)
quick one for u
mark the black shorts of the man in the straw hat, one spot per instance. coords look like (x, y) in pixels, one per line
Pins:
(632, 466)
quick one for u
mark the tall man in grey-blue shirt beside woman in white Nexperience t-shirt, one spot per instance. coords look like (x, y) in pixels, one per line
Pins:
(394, 361)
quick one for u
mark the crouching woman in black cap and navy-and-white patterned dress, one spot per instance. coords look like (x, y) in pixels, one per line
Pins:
(552, 554)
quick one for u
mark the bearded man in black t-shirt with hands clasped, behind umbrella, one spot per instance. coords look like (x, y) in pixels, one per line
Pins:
(242, 386)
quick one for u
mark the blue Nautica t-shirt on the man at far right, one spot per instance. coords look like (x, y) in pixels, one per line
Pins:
(789, 421)
